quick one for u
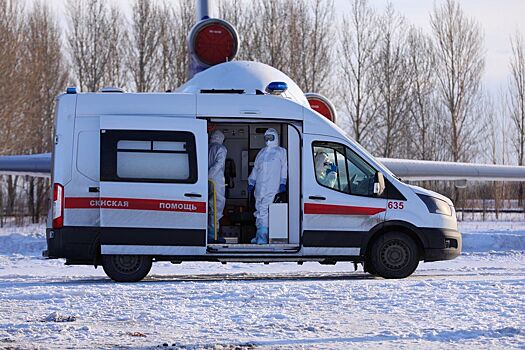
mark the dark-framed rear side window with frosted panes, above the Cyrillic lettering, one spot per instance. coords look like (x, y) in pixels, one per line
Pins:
(148, 156)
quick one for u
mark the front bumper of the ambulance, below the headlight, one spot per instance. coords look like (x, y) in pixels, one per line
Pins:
(442, 244)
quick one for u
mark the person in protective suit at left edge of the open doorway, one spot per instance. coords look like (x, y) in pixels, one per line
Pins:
(216, 160)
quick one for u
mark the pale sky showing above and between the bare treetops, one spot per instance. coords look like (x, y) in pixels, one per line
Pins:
(498, 20)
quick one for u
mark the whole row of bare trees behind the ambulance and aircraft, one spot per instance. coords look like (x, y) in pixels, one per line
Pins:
(400, 91)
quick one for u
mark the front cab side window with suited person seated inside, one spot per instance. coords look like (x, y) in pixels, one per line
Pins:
(341, 169)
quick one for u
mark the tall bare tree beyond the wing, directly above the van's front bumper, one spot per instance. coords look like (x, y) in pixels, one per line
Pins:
(459, 65)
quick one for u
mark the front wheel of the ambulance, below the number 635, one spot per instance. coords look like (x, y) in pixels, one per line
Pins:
(394, 255)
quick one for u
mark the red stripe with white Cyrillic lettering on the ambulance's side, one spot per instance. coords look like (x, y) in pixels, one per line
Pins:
(135, 204)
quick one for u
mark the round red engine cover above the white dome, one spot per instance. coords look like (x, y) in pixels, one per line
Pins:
(214, 41)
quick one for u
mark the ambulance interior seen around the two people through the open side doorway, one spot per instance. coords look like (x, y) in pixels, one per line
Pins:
(243, 142)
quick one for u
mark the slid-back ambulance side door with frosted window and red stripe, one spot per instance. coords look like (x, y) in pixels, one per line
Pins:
(153, 185)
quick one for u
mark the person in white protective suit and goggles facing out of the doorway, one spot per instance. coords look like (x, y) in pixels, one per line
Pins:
(268, 178)
